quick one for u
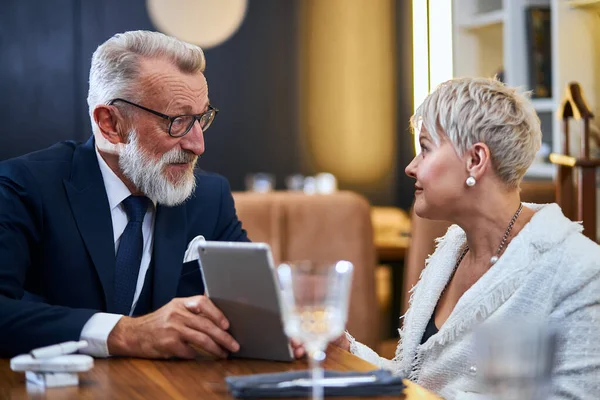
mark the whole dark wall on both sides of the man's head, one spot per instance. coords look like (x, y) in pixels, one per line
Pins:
(45, 53)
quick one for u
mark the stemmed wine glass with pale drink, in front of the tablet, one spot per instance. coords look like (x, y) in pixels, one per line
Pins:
(314, 306)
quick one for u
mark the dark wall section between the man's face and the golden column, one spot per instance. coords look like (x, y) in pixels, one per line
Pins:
(252, 79)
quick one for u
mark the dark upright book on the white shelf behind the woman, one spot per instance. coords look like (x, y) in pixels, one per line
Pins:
(539, 50)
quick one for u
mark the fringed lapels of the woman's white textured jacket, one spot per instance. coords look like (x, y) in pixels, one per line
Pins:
(546, 230)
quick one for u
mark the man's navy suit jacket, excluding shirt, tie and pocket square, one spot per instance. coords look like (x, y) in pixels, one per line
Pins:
(57, 256)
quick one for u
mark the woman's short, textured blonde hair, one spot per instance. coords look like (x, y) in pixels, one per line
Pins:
(483, 110)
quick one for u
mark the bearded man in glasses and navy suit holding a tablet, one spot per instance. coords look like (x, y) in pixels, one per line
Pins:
(93, 236)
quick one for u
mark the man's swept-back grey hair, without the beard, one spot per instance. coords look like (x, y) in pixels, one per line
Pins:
(116, 63)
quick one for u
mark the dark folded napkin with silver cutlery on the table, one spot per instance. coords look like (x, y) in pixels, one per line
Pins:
(298, 384)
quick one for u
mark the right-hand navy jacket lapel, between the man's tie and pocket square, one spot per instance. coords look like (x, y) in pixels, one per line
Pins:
(169, 249)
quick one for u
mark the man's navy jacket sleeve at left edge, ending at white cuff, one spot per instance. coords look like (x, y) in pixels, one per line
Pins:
(26, 324)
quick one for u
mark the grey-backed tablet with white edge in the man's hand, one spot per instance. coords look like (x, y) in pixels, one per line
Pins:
(239, 278)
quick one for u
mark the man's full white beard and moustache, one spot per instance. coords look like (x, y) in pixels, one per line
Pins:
(148, 175)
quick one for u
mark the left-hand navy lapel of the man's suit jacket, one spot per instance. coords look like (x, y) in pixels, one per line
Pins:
(89, 204)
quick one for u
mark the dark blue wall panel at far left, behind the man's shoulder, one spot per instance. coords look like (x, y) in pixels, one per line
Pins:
(37, 86)
